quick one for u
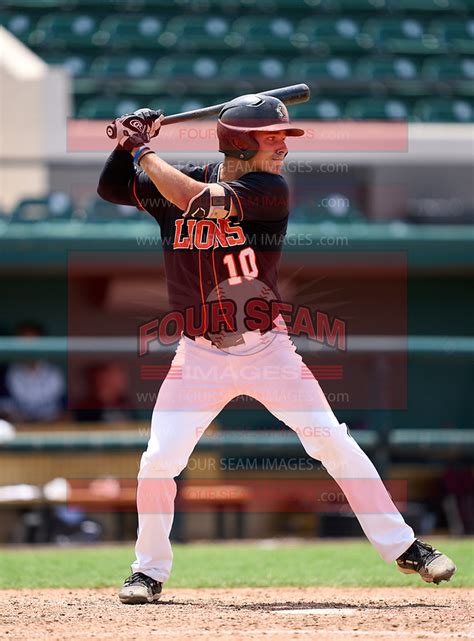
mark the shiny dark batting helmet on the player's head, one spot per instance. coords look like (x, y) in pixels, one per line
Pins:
(247, 114)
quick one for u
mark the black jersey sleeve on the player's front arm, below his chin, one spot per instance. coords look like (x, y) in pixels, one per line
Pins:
(259, 196)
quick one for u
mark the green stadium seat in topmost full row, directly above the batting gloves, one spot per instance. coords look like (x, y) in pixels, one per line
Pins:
(132, 31)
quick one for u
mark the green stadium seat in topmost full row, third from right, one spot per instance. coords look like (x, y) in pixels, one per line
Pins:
(324, 34)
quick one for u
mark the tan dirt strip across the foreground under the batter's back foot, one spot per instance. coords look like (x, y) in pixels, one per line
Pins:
(274, 614)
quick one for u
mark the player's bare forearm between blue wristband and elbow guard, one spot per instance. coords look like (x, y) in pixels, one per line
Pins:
(170, 182)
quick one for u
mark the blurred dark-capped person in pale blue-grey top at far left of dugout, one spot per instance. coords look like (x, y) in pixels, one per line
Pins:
(32, 390)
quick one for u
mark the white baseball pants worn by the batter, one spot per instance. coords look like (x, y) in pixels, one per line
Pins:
(209, 379)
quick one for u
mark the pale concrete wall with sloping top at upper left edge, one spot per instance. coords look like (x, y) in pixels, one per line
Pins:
(34, 105)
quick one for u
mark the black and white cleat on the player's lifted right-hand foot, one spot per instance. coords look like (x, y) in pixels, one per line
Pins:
(432, 565)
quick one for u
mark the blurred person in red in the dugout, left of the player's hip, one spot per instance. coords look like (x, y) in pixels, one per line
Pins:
(107, 399)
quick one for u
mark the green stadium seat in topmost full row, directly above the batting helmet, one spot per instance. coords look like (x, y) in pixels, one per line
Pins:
(263, 33)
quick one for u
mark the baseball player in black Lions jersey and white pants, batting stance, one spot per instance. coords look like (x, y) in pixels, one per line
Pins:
(222, 228)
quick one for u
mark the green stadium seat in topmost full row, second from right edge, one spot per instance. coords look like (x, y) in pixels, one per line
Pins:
(402, 35)
